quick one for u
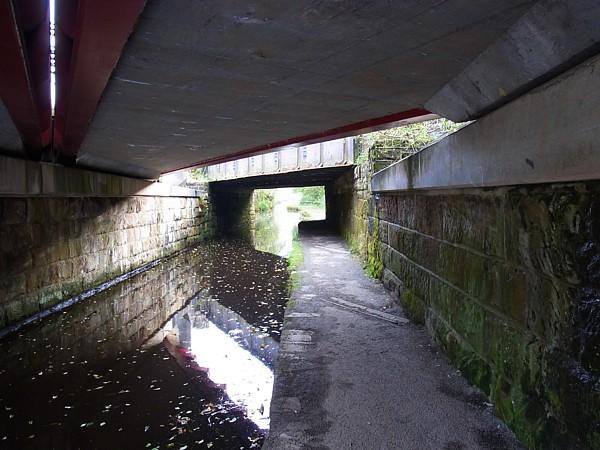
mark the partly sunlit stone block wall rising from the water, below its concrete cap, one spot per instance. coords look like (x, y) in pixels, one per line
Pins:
(52, 248)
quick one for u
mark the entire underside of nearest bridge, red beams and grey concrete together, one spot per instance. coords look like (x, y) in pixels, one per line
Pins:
(156, 88)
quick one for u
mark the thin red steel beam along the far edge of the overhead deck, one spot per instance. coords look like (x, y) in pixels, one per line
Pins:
(365, 126)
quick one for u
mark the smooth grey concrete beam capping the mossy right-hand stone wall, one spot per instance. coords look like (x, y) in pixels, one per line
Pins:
(547, 135)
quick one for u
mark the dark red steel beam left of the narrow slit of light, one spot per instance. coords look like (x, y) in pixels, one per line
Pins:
(25, 74)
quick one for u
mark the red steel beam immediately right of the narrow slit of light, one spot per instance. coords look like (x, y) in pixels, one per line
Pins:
(90, 37)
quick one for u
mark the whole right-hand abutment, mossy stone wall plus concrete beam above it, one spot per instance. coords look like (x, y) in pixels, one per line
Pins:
(490, 239)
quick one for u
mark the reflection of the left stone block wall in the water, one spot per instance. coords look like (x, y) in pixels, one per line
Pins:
(118, 321)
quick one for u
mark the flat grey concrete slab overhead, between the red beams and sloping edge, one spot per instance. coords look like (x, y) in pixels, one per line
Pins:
(205, 80)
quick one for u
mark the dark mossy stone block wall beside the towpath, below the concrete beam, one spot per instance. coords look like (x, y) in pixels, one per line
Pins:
(507, 280)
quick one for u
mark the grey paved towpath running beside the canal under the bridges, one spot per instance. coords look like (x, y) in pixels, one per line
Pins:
(354, 374)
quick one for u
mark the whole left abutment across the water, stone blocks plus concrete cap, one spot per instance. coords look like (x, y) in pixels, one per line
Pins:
(64, 231)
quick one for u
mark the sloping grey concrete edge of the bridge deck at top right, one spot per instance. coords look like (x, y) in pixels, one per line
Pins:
(551, 37)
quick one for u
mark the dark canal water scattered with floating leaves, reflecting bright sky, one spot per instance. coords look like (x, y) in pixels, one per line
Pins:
(180, 356)
